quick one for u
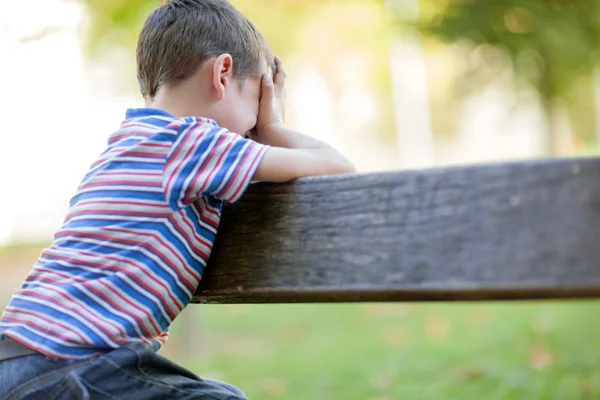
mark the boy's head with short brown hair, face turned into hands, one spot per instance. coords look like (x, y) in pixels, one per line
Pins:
(208, 48)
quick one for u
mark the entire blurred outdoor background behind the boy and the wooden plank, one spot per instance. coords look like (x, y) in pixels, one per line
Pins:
(395, 85)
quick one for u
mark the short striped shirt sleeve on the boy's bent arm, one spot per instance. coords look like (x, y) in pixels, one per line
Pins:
(209, 160)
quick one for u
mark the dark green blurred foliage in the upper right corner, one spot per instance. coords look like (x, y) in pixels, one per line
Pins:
(551, 43)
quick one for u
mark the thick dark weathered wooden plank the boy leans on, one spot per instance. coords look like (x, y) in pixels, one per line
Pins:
(525, 230)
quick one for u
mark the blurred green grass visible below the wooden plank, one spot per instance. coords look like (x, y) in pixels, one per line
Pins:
(396, 351)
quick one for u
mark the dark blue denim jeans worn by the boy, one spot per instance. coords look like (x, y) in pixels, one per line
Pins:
(131, 372)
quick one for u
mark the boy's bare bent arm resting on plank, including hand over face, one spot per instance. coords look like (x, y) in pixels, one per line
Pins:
(292, 154)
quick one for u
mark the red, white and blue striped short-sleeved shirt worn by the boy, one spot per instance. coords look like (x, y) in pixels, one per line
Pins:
(136, 239)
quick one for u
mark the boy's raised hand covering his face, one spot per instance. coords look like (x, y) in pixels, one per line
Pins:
(271, 112)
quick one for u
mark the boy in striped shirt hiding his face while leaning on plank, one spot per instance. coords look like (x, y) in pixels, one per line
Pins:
(97, 305)
